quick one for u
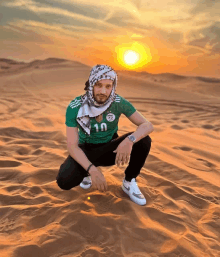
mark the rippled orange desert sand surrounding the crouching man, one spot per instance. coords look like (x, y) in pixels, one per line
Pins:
(180, 179)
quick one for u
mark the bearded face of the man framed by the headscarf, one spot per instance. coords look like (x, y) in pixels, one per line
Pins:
(102, 90)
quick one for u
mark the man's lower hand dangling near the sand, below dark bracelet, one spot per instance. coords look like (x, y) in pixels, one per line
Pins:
(98, 179)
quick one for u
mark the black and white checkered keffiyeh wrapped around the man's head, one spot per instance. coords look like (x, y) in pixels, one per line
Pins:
(90, 108)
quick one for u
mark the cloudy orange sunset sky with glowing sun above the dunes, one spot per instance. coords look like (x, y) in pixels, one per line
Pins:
(180, 37)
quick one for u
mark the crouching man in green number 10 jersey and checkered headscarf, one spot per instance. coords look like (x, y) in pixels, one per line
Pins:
(96, 115)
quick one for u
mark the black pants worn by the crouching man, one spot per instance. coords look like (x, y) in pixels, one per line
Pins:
(71, 173)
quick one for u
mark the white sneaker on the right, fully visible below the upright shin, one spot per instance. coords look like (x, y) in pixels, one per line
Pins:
(131, 188)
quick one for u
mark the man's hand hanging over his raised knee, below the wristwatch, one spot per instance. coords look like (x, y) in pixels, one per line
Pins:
(123, 152)
